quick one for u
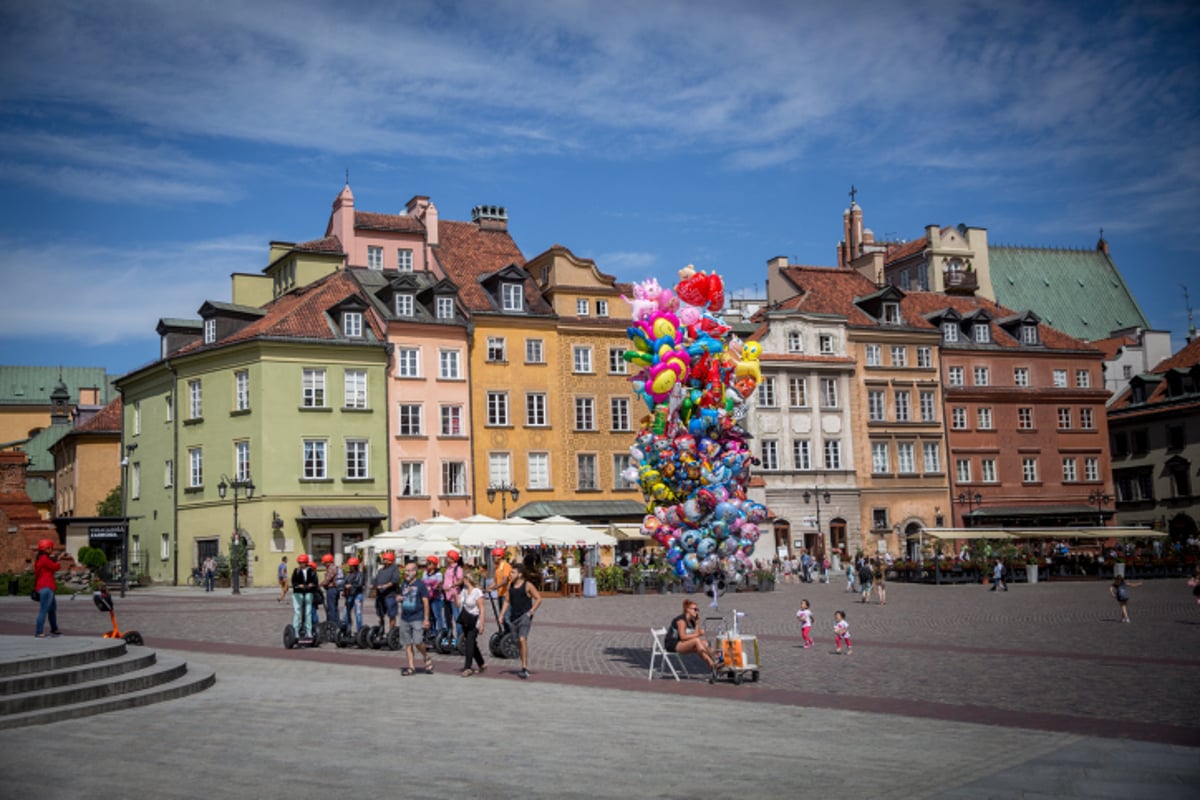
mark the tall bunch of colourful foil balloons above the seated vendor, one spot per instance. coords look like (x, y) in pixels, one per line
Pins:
(691, 458)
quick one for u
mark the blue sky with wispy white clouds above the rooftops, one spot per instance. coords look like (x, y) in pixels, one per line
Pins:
(151, 149)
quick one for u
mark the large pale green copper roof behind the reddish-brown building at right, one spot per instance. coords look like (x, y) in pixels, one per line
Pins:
(1079, 292)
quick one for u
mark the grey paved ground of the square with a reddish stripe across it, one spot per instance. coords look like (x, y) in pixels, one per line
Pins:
(951, 693)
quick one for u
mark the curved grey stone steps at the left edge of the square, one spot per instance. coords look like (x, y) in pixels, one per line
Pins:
(47, 681)
